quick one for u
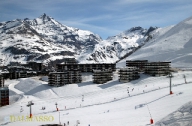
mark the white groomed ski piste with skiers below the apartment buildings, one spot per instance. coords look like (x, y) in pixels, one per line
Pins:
(107, 104)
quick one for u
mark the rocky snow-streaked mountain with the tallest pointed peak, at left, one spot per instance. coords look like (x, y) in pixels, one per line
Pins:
(42, 39)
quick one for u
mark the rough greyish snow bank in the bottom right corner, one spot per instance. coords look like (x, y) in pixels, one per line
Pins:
(181, 117)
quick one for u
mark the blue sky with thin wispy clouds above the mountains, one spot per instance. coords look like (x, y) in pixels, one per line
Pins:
(102, 17)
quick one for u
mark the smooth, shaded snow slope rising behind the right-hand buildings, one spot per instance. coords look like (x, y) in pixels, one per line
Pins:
(173, 43)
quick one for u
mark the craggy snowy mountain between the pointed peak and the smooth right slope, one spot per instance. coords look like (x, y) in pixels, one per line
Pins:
(117, 47)
